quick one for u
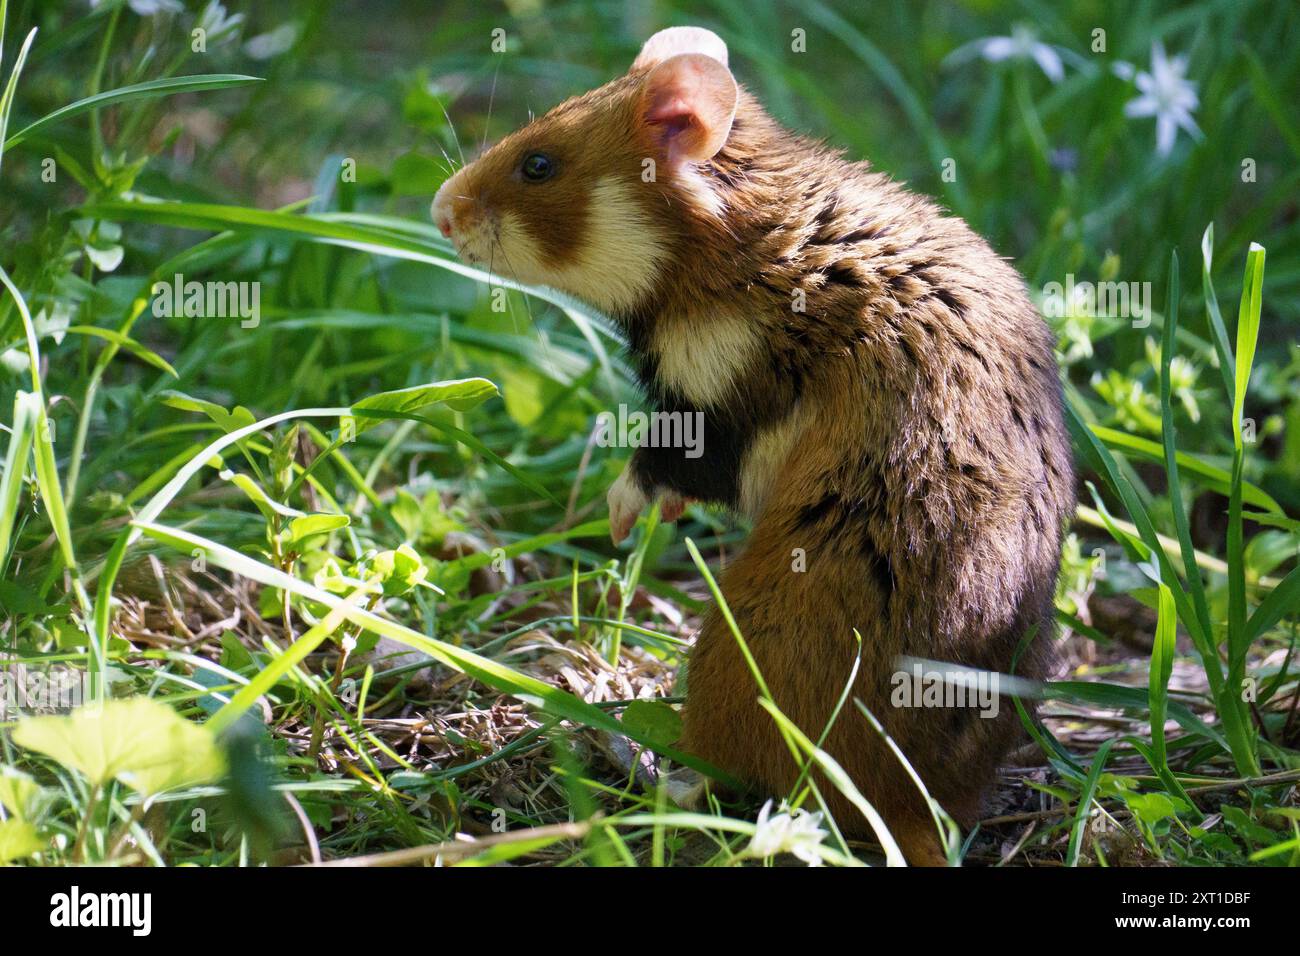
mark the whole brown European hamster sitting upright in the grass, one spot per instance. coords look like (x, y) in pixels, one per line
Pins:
(879, 395)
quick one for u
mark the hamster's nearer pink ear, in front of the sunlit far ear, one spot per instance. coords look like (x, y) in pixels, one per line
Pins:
(688, 105)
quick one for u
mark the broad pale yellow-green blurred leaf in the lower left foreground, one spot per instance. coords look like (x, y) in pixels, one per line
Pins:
(140, 742)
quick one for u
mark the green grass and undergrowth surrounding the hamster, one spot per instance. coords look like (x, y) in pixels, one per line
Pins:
(226, 518)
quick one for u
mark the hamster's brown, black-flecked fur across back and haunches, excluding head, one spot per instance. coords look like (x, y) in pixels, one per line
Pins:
(915, 479)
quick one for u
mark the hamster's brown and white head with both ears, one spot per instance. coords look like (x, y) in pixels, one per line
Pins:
(592, 197)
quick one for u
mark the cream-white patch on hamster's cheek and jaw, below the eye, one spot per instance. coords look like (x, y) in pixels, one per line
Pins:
(618, 261)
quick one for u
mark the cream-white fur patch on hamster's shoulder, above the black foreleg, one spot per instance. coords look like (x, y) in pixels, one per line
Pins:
(704, 357)
